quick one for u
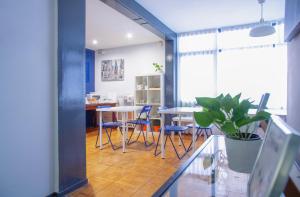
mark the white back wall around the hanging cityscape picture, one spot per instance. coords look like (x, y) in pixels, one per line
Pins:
(138, 61)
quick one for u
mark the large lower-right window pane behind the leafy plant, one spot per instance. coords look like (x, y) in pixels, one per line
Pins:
(254, 72)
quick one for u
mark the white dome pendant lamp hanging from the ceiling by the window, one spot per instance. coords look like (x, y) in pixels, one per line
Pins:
(262, 29)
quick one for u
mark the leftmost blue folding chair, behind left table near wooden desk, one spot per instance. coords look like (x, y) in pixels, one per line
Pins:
(110, 126)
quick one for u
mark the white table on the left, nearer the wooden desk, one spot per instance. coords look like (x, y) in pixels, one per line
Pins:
(123, 110)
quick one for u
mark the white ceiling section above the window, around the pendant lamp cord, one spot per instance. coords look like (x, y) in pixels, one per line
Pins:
(189, 15)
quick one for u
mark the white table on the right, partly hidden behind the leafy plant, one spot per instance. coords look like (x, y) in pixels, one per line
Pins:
(179, 111)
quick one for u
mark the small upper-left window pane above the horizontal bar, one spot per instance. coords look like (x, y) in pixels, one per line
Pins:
(198, 42)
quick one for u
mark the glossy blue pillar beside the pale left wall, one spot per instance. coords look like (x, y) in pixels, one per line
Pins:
(71, 92)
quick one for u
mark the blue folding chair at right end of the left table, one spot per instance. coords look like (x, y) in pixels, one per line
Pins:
(142, 120)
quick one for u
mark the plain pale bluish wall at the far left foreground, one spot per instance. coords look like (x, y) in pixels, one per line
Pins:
(27, 63)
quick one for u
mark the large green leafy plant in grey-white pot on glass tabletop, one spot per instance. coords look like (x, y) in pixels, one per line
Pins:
(230, 115)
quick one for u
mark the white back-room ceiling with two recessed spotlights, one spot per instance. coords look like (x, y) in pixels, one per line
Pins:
(109, 28)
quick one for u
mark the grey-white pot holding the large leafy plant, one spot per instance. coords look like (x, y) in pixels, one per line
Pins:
(242, 154)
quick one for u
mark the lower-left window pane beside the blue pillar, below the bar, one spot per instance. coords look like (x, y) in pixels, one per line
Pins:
(196, 76)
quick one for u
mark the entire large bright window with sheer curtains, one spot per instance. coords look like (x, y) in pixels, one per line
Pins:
(229, 61)
